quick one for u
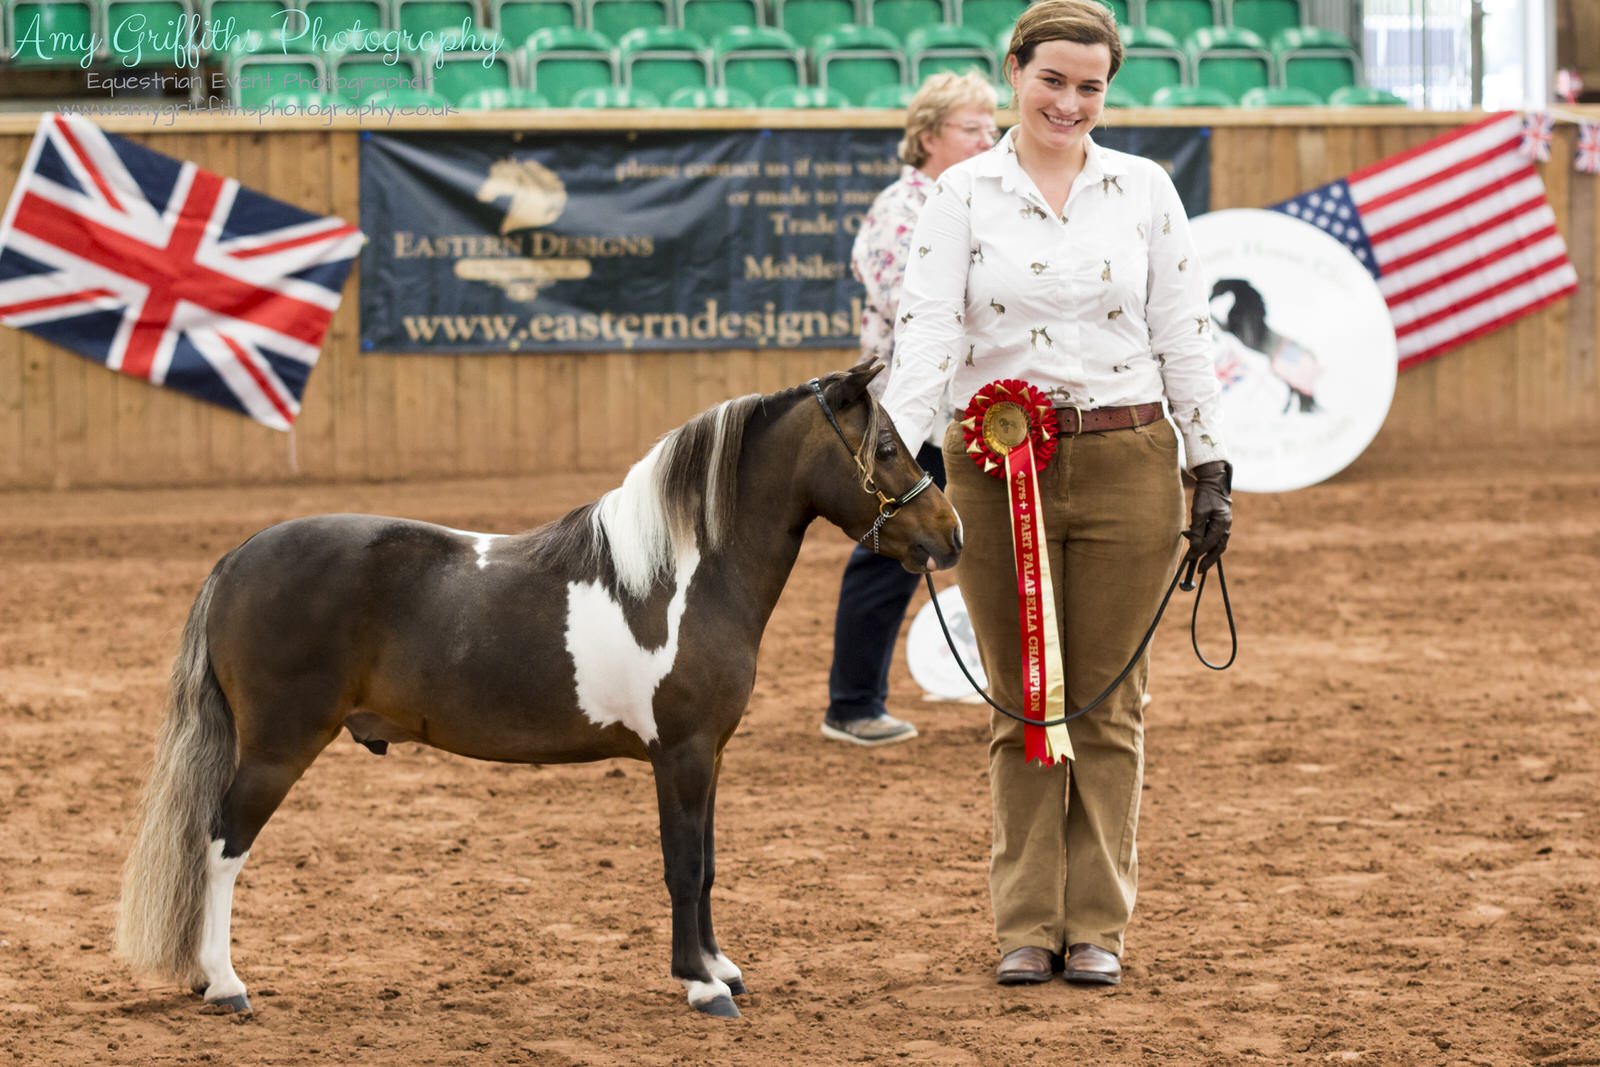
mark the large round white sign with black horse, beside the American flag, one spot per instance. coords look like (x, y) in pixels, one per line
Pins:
(1305, 348)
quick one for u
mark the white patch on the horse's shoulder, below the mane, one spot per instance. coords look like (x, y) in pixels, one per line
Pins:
(617, 677)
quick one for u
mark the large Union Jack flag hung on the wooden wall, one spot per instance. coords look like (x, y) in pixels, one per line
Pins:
(169, 273)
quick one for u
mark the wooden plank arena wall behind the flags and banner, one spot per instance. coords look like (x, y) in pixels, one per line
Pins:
(70, 423)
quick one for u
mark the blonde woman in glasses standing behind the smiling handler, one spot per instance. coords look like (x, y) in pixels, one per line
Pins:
(951, 119)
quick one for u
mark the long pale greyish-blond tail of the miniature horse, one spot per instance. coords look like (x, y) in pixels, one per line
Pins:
(166, 881)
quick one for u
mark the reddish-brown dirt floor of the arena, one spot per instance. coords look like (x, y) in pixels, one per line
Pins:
(1374, 841)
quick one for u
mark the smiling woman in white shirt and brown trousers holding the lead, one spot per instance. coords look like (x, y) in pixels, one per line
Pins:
(1068, 266)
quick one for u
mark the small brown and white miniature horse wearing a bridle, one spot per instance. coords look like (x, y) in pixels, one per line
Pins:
(626, 629)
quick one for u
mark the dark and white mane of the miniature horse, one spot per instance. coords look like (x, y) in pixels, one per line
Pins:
(679, 497)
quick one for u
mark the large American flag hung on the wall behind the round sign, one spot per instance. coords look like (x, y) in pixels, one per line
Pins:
(1457, 231)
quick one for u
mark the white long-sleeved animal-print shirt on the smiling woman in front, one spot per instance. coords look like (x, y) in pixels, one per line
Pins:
(1102, 306)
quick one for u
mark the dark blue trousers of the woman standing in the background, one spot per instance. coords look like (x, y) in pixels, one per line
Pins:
(873, 601)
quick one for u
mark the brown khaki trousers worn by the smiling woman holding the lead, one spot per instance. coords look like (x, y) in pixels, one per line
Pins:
(1065, 866)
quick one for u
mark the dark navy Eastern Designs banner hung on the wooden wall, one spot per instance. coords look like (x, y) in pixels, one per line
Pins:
(650, 241)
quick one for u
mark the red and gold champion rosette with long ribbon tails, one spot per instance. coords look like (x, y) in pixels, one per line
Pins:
(1010, 431)
